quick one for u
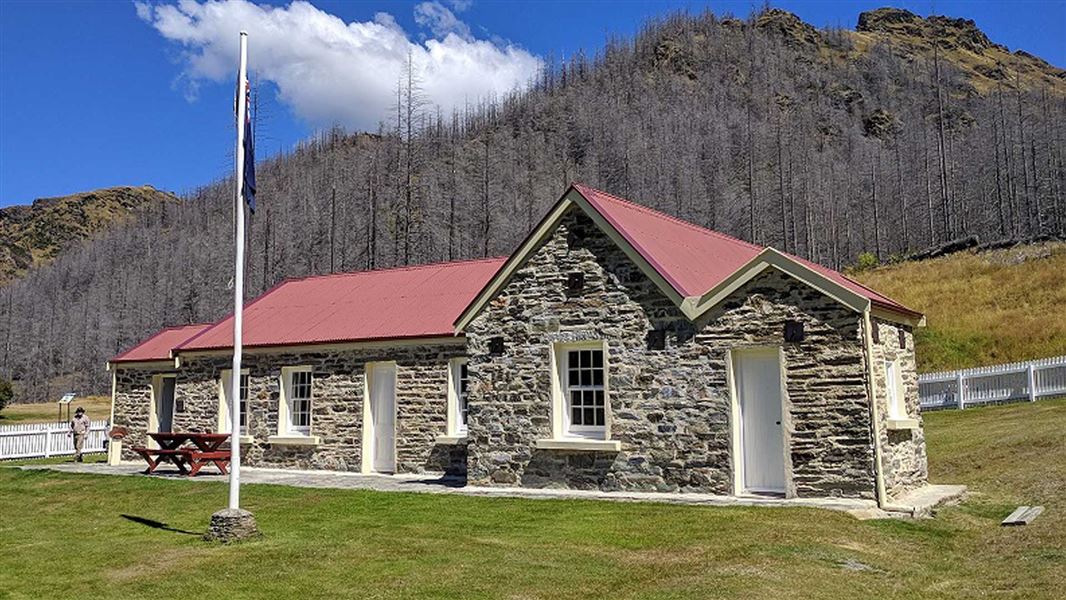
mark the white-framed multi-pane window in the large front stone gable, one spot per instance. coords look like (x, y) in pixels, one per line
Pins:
(583, 391)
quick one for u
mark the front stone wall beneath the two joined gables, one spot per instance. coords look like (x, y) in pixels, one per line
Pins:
(670, 409)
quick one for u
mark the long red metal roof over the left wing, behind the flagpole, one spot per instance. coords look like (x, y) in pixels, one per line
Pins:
(414, 302)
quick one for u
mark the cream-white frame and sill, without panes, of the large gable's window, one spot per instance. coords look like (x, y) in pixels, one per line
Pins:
(563, 427)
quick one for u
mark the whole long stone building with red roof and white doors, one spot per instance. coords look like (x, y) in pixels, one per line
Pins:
(618, 349)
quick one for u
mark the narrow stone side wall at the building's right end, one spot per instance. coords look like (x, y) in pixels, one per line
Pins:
(903, 451)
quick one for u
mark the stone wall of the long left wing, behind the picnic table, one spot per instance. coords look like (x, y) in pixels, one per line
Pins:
(337, 407)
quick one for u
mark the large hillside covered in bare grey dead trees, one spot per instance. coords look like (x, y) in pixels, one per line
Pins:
(825, 143)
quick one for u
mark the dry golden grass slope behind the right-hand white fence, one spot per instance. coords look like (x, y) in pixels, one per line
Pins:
(983, 309)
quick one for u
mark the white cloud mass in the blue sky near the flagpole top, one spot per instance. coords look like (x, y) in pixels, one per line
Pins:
(329, 71)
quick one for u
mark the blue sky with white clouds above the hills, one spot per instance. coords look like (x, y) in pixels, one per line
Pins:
(96, 94)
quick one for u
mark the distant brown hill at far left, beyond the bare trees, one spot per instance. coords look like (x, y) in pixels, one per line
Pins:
(31, 236)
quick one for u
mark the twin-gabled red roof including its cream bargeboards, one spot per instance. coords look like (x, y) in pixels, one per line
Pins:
(693, 266)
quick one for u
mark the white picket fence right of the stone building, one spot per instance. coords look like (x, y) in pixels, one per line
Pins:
(993, 385)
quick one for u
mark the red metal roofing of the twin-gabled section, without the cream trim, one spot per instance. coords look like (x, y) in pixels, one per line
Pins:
(694, 260)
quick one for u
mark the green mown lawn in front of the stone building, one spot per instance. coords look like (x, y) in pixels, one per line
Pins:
(67, 536)
